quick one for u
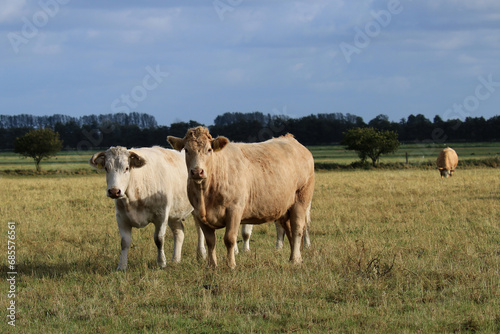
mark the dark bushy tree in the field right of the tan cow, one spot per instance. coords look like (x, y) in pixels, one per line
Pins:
(370, 143)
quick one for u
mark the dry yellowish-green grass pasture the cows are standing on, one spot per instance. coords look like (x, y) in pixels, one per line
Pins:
(393, 251)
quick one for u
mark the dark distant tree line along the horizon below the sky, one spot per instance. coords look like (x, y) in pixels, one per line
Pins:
(136, 130)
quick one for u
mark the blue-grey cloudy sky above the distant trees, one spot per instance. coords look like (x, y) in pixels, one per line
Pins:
(196, 59)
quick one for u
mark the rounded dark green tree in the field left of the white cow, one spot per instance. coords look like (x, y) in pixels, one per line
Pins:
(38, 144)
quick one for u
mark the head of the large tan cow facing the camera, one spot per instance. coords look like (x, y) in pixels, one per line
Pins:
(200, 148)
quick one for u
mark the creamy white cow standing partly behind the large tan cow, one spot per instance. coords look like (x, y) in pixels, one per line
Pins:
(149, 186)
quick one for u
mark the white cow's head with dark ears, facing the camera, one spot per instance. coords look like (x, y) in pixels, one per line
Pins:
(117, 162)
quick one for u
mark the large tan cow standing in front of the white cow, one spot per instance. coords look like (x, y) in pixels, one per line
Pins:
(230, 183)
